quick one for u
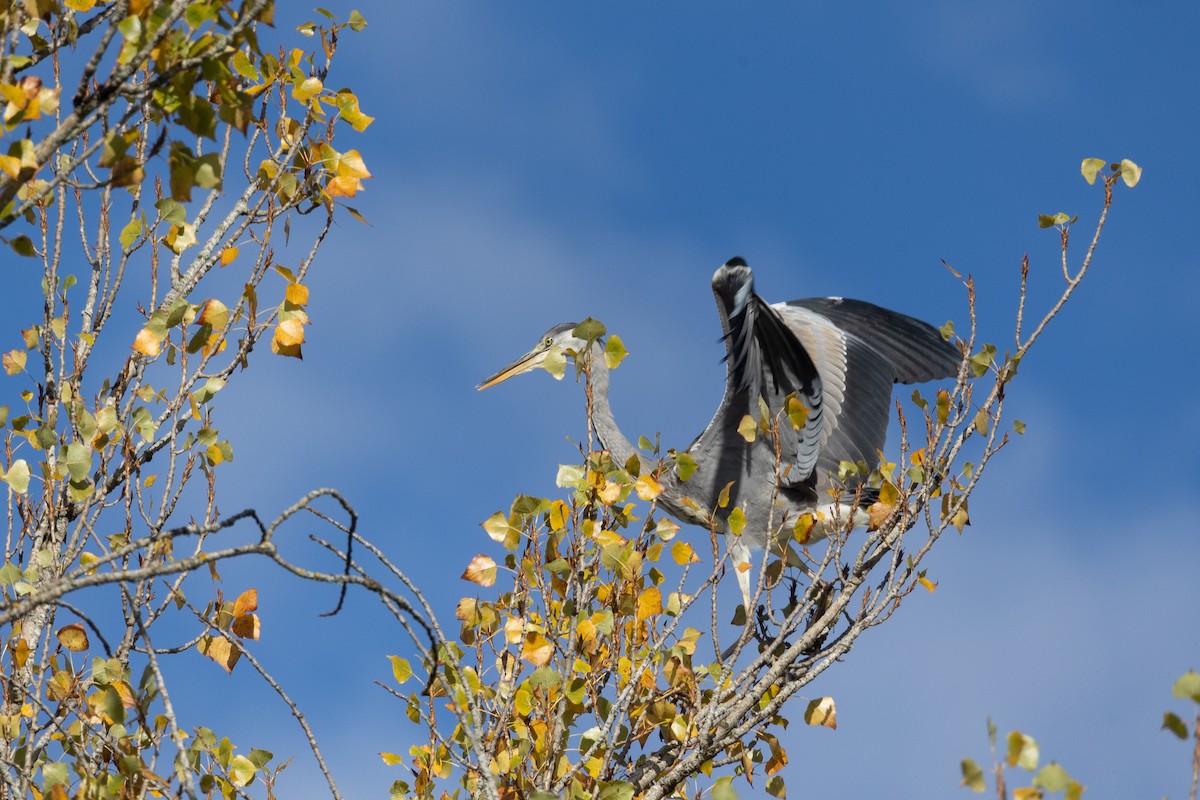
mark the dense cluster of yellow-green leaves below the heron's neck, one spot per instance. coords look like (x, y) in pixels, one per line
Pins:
(589, 667)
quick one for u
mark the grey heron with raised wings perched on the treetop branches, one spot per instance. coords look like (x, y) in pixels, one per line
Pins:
(837, 358)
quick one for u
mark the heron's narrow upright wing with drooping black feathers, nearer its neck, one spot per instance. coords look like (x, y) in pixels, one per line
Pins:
(764, 359)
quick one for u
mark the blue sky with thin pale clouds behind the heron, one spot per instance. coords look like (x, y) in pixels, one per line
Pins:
(542, 163)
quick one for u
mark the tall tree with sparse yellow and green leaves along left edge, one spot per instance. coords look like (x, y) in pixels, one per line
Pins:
(177, 145)
